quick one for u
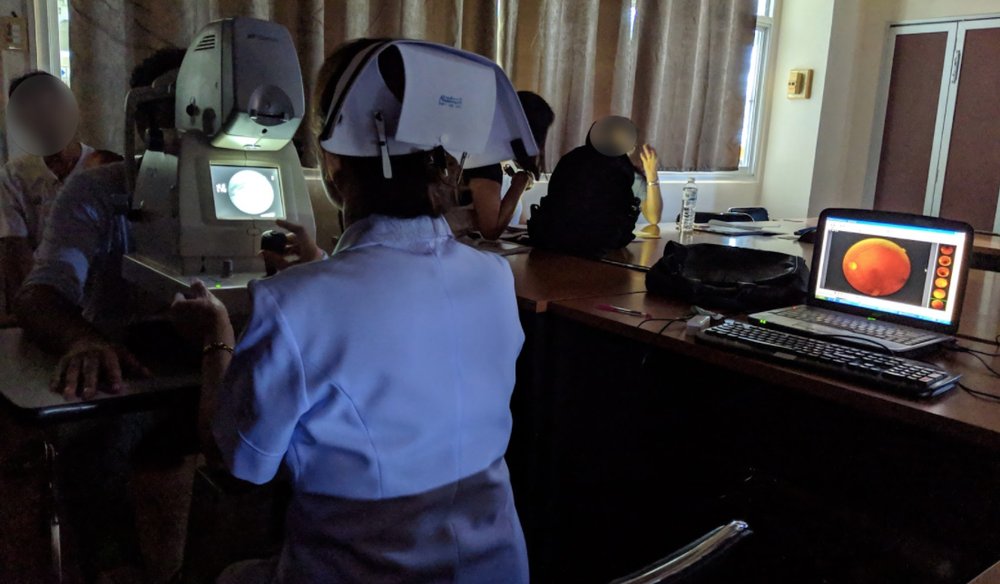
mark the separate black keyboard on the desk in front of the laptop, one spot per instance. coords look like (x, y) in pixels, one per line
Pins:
(894, 374)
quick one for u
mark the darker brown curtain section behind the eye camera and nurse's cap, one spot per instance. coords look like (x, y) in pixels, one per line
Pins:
(109, 37)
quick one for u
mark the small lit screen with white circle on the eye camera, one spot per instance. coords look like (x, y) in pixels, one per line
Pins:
(247, 192)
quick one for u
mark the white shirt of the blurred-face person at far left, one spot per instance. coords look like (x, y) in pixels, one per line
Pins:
(28, 188)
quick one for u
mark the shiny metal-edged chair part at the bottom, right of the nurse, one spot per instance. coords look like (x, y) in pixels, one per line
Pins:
(683, 562)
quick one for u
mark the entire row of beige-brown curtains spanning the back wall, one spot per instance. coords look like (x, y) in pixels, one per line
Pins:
(677, 67)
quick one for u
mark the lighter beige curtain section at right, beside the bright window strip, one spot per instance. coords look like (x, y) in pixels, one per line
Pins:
(678, 68)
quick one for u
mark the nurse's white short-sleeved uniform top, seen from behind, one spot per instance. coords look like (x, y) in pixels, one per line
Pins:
(383, 372)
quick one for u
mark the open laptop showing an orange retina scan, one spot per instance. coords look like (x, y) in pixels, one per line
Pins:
(882, 281)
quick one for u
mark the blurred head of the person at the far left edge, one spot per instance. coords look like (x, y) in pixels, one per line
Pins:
(42, 114)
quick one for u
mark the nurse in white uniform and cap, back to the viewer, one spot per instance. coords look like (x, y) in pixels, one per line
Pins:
(381, 377)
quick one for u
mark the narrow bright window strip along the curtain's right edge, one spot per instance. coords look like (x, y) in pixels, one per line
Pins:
(753, 110)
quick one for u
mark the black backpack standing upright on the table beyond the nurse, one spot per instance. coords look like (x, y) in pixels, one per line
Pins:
(590, 208)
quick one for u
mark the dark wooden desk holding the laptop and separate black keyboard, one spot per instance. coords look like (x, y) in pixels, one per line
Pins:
(635, 415)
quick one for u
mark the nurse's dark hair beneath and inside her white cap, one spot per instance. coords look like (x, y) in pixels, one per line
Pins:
(418, 187)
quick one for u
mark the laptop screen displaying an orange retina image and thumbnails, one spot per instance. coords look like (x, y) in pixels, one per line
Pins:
(908, 271)
